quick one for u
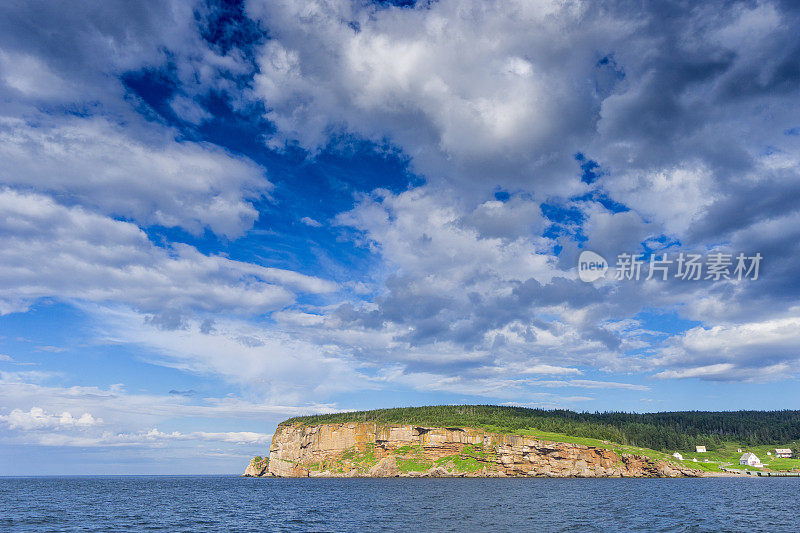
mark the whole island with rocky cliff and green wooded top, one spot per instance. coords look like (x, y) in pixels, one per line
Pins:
(498, 441)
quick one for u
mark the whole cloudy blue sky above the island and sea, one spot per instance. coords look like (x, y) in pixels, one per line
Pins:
(216, 215)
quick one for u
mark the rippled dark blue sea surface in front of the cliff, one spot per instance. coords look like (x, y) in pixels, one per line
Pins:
(228, 503)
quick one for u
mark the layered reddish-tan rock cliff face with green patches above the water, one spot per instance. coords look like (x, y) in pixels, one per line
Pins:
(367, 449)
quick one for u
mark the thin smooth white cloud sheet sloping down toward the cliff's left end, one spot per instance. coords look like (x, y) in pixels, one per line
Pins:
(284, 365)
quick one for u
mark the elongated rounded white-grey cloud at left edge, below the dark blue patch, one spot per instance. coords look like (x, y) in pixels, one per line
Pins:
(159, 181)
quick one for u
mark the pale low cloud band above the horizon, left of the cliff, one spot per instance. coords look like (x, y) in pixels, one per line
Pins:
(116, 417)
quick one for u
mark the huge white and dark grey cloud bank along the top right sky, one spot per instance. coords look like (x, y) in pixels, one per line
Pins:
(506, 93)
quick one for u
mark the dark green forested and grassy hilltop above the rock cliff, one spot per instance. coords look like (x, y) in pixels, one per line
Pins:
(665, 432)
